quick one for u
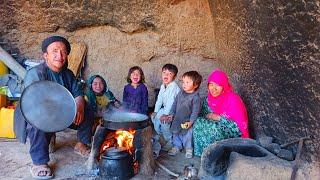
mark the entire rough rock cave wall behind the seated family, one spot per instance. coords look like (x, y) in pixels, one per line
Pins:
(269, 48)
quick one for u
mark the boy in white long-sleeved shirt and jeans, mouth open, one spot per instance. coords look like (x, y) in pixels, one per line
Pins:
(168, 91)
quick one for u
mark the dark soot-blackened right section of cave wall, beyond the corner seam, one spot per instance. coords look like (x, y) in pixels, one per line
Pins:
(274, 48)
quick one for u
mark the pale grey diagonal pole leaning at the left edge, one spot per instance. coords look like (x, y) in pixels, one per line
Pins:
(12, 64)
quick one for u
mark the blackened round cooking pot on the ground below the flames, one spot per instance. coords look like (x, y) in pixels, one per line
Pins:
(116, 163)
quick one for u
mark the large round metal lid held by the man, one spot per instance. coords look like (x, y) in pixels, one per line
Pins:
(48, 106)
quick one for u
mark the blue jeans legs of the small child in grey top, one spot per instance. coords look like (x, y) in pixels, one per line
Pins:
(181, 141)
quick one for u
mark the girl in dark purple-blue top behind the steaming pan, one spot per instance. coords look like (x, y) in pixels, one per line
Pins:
(135, 93)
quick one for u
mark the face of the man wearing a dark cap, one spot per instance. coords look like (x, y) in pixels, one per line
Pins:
(56, 56)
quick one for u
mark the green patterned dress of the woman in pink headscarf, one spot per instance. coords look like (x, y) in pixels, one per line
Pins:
(207, 131)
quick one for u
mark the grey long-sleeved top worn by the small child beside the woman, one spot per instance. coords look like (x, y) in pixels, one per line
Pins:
(186, 107)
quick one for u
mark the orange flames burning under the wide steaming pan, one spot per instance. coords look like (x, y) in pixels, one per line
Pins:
(125, 139)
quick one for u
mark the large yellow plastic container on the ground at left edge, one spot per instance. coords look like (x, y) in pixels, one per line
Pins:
(6, 123)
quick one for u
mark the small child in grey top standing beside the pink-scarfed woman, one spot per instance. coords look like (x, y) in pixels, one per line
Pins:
(184, 112)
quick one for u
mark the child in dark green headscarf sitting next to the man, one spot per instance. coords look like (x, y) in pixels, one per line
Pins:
(99, 97)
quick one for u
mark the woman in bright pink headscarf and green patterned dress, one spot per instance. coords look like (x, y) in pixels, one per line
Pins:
(223, 114)
